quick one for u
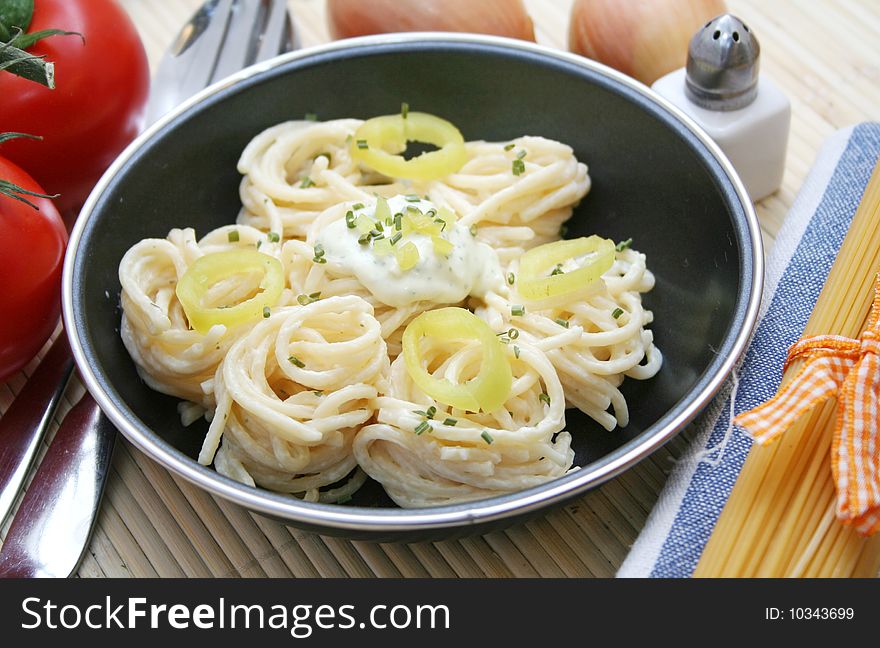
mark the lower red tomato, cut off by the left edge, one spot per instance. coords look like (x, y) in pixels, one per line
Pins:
(32, 247)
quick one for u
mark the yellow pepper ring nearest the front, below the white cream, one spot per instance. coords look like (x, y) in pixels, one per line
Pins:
(488, 389)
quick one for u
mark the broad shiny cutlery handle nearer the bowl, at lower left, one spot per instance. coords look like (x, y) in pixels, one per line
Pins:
(54, 522)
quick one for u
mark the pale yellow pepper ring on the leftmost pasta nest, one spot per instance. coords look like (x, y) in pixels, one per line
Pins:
(212, 268)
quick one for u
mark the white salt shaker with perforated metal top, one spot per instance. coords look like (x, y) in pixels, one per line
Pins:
(744, 112)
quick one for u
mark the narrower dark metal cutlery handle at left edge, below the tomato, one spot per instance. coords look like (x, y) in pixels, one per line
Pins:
(25, 423)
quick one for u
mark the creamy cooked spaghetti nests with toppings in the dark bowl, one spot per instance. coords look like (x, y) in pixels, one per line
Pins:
(416, 320)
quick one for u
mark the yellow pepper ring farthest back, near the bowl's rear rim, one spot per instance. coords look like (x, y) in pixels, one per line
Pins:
(378, 142)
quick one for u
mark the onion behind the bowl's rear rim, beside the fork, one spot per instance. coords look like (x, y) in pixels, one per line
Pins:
(347, 18)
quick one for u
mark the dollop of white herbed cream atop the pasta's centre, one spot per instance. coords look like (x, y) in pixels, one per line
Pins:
(471, 268)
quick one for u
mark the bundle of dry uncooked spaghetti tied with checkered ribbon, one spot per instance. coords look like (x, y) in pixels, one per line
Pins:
(782, 518)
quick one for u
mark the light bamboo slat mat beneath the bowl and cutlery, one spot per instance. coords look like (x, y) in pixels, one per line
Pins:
(825, 56)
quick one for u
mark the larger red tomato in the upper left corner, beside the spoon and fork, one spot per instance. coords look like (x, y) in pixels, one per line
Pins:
(96, 107)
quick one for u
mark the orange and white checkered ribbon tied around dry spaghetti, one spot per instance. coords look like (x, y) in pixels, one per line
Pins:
(850, 370)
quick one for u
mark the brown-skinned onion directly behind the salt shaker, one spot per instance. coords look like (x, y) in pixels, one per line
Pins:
(645, 39)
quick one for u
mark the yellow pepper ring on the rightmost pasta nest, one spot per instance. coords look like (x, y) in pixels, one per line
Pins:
(535, 283)
